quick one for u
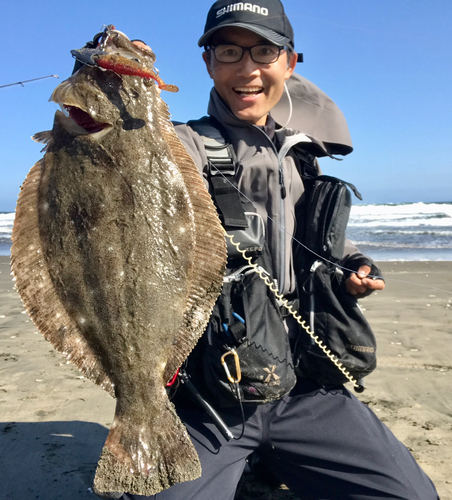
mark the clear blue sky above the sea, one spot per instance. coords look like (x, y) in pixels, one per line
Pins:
(386, 63)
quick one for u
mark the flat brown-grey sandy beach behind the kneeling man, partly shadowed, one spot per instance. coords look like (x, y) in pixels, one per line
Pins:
(53, 421)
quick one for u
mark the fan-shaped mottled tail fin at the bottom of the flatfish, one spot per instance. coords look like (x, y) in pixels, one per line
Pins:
(146, 459)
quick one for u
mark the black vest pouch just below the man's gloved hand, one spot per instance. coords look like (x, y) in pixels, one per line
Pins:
(337, 320)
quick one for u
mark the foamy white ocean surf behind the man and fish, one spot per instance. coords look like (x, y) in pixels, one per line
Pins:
(389, 232)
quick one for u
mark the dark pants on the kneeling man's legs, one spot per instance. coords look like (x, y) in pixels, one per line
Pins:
(324, 445)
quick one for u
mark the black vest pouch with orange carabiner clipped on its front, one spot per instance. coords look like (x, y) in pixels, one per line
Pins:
(247, 328)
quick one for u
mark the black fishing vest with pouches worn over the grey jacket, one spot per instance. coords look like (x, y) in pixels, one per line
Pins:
(245, 354)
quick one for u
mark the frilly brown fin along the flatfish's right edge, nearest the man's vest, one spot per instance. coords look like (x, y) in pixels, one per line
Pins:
(208, 267)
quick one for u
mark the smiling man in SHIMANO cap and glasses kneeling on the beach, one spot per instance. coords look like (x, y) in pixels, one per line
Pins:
(315, 437)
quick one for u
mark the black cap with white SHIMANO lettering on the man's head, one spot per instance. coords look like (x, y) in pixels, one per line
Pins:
(265, 17)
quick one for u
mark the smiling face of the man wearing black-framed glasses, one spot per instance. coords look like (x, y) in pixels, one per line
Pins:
(250, 89)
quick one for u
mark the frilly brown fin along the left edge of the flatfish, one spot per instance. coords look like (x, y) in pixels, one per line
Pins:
(34, 284)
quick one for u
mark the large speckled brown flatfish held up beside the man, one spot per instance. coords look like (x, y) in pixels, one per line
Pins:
(118, 255)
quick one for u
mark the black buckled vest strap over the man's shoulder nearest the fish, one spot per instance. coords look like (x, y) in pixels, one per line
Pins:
(222, 170)
